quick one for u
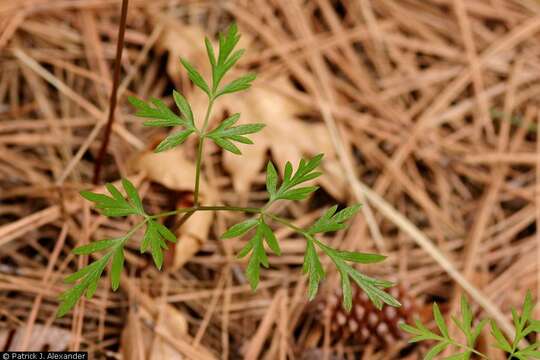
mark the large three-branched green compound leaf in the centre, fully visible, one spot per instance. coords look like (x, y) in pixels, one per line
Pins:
(292, 187)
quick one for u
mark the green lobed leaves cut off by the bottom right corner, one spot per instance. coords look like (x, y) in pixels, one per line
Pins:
(523, 323)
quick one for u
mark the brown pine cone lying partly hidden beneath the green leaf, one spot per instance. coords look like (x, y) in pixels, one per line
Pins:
(365, 323)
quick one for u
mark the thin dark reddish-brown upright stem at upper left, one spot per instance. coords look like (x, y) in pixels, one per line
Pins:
(112, 101)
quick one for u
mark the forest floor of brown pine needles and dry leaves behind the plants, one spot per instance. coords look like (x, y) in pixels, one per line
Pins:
(426, 111)
